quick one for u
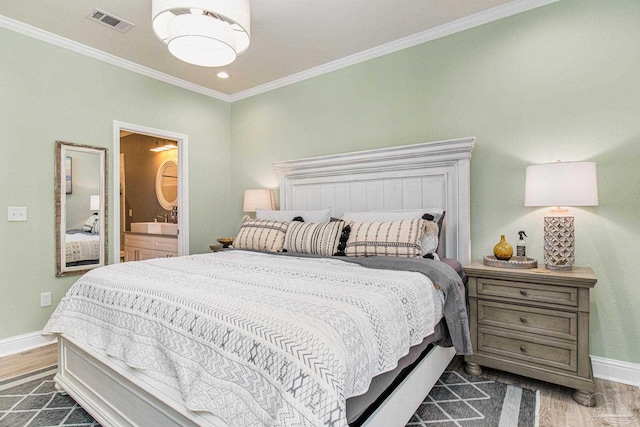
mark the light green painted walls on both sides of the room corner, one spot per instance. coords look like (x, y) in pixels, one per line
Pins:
(558, 82)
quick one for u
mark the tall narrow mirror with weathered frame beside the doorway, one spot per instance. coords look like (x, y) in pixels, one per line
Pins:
(81, 206)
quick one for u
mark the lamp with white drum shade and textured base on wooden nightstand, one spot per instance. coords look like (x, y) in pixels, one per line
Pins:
(560, 184)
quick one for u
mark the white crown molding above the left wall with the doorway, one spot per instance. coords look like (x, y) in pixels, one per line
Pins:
(47, 37)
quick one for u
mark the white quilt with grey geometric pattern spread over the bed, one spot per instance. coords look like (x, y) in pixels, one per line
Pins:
(256, 339)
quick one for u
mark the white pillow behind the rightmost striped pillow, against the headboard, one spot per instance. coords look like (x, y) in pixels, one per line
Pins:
(430, 240)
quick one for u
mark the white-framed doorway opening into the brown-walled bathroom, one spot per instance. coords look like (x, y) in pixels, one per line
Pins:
(147, 184)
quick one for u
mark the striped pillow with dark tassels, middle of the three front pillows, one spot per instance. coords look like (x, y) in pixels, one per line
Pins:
(313, 238)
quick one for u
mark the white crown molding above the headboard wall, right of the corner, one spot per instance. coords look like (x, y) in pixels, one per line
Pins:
(484, 17)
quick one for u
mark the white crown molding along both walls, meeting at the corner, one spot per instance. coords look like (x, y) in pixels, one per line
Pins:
(484, 17)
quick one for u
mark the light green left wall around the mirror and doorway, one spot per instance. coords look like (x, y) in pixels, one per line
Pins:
(48, 93)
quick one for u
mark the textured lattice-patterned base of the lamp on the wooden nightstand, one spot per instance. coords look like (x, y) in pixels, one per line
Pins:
(559, 242)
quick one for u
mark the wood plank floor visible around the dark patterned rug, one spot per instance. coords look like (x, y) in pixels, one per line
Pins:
(617, 404)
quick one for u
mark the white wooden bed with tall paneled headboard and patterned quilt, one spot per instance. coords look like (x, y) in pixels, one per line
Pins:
(128, 381)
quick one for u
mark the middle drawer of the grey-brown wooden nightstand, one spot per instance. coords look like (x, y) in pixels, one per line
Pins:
(551, 323)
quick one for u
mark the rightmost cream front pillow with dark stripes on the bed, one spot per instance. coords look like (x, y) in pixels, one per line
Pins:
(391, 238)
